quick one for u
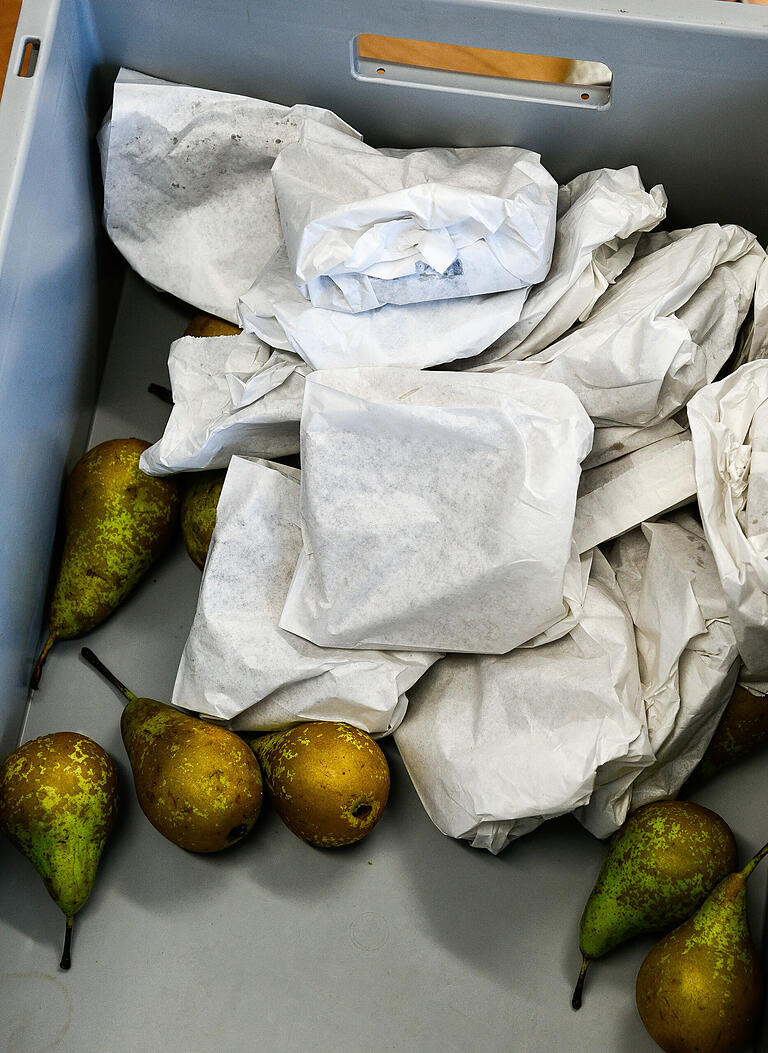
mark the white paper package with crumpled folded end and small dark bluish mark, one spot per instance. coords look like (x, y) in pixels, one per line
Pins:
(365, 228)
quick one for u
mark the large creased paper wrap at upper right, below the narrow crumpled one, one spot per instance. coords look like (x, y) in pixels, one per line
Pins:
(661, 333)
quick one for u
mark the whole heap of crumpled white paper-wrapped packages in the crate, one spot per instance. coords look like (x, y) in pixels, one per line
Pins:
(505, 399)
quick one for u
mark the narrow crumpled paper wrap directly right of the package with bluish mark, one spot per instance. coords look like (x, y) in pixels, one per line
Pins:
(600, 217)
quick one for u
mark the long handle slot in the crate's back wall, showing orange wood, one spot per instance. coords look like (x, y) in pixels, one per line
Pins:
(482, 71)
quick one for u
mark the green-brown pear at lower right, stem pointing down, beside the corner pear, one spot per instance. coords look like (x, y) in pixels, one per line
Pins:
(660, 867)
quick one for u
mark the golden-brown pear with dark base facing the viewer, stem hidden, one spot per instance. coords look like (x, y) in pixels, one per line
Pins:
(329, 781)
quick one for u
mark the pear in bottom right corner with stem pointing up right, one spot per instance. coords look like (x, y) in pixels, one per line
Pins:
(701, 988)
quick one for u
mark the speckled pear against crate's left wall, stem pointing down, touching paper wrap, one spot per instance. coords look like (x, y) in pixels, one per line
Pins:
(117, 522)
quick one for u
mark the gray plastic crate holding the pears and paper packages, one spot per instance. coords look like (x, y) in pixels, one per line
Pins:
(408, 942)
